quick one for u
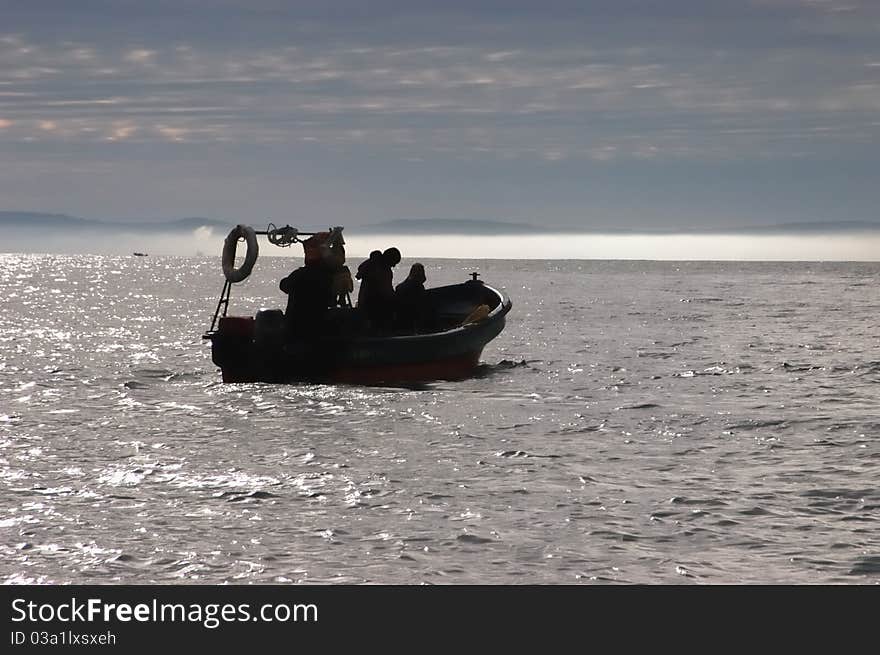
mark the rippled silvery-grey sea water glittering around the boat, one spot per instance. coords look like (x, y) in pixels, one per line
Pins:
(636, 422)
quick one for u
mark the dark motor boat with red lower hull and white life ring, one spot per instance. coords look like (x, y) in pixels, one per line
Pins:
(464, 318)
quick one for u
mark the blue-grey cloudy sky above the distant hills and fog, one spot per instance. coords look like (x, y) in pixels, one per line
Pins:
(591, 113)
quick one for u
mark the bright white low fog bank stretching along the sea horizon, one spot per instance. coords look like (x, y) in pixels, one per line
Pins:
(209, 242)
